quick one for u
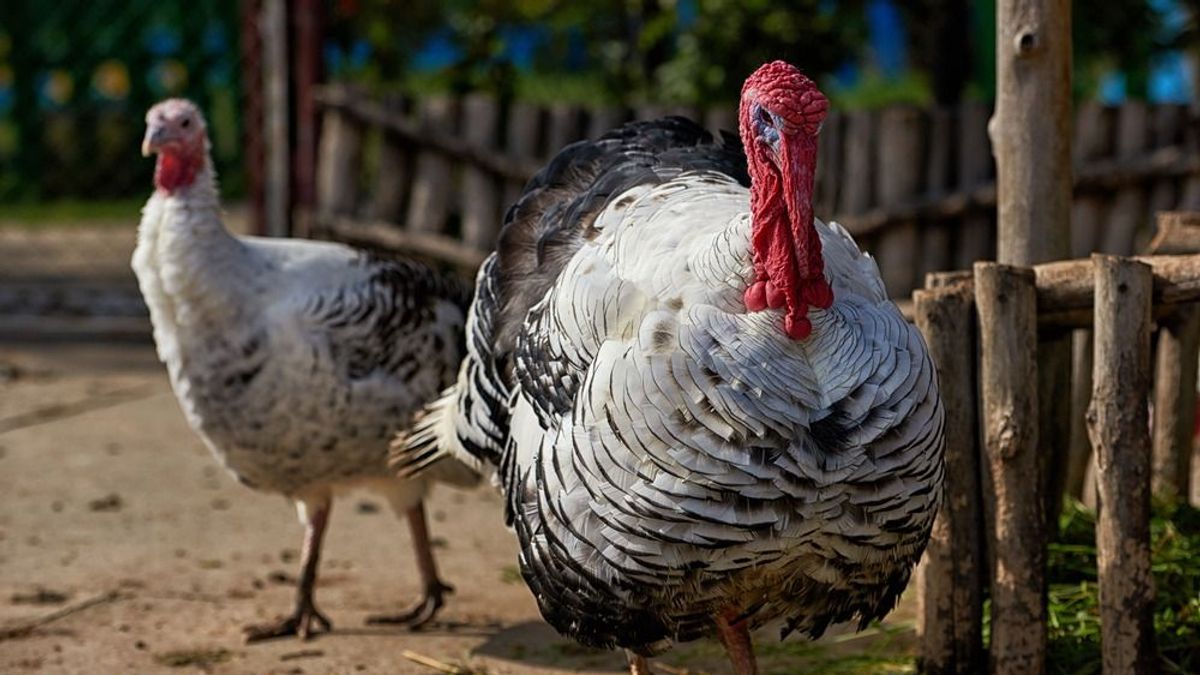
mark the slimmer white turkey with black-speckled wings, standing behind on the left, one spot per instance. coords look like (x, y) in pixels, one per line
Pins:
(296, 361)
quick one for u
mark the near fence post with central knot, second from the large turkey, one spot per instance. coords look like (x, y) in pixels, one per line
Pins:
(1006, 301)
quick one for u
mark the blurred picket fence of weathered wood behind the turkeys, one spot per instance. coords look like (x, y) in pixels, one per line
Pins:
(916, 188)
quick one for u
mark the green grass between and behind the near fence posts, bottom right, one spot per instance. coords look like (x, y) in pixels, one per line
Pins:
(1073, 598)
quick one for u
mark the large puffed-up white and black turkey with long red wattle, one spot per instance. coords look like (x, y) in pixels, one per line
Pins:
(704, 410)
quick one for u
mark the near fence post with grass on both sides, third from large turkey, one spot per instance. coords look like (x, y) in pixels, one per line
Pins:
(1119, 427)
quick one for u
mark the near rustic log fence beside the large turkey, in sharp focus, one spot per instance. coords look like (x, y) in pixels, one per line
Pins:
(994, 473)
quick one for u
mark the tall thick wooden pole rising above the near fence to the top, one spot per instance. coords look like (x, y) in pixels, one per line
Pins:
(1031, 139)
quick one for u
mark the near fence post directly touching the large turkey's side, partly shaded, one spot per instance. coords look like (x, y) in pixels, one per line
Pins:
(952, 575)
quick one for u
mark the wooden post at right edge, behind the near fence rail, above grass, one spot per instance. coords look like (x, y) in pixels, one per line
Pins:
(1175, 399)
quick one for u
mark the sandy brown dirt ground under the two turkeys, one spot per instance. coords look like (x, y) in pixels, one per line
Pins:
(125, 549)
